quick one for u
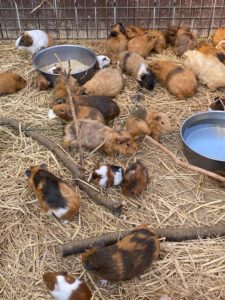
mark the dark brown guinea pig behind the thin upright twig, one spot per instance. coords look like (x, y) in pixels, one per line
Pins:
(108, 108)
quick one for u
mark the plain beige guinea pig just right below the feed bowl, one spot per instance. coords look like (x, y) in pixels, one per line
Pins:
(106, 82)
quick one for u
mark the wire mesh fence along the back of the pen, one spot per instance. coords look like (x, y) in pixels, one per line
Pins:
(91, 19)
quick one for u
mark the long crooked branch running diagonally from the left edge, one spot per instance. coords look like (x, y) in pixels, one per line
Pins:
(115, 207)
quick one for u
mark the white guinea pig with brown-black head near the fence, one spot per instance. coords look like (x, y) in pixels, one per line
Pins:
(34, 40)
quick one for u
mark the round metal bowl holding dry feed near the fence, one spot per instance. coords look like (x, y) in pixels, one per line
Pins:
(65, 52)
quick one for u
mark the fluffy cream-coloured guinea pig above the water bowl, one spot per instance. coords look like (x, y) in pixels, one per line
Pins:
(207, 68)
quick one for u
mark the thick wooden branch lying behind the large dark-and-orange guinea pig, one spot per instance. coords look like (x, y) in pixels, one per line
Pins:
(172, 235)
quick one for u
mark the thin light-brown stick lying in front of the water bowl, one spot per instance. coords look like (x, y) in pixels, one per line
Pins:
(185, 165)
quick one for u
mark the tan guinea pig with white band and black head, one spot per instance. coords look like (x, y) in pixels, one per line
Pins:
(135, 65)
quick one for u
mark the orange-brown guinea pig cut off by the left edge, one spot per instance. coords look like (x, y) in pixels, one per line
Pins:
(10, 83)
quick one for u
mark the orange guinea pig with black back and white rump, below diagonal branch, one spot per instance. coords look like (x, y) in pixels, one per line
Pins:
(53, 194)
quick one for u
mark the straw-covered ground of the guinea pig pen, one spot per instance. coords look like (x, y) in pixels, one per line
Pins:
(175, 197)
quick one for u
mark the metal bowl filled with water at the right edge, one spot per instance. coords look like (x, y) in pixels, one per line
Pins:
(203, 136)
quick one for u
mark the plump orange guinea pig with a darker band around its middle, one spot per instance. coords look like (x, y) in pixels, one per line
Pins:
(180, 81)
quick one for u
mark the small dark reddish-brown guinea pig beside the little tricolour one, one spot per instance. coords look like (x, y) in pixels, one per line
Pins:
(135, 179)
